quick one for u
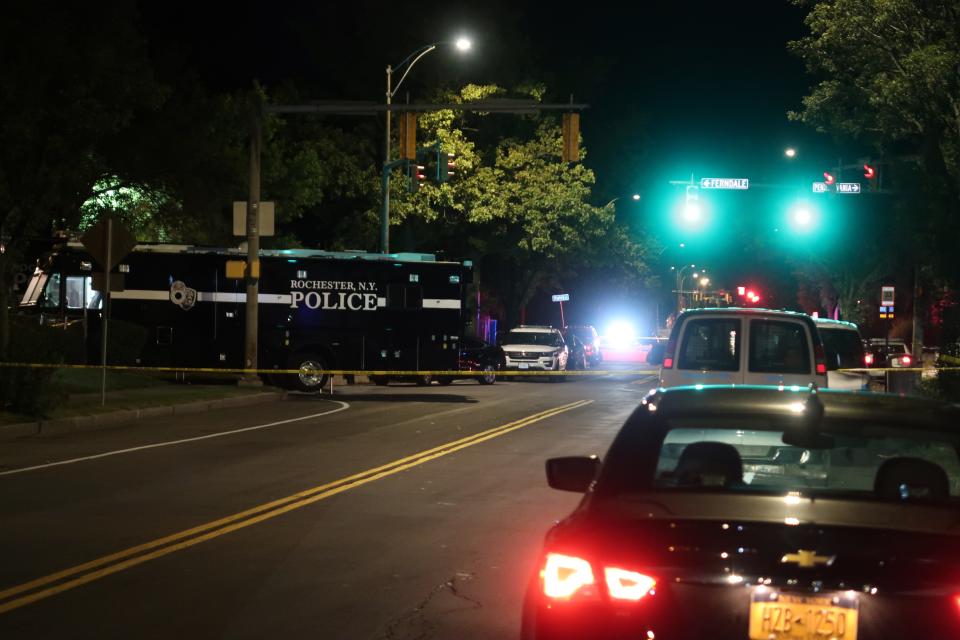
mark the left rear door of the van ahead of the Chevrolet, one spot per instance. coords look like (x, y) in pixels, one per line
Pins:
(710, 352)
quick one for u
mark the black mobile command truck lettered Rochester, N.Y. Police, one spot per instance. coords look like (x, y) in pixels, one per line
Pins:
(318, 310)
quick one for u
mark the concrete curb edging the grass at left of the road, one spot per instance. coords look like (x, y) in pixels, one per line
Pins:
(61, 426)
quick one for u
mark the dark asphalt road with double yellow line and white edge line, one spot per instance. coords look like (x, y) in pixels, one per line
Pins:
(384, 513)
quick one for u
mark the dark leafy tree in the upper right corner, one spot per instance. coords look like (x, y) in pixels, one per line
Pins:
(888, 76)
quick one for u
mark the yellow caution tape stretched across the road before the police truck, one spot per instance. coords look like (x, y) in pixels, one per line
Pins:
(365, 372)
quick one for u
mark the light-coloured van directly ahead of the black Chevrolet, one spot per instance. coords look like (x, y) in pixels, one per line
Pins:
(743, 346)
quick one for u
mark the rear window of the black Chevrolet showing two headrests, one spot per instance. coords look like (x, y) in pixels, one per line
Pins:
(874, 461)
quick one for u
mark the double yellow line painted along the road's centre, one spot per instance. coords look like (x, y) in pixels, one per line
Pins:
(50, 585)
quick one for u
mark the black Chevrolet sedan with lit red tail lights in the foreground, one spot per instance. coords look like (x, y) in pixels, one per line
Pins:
(759, 512)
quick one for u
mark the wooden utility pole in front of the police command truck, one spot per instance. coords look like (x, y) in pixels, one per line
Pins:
(253, 248)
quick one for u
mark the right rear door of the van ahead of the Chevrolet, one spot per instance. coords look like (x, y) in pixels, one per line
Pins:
(780, 352)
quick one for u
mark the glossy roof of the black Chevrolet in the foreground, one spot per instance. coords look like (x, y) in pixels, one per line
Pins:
(742, 400)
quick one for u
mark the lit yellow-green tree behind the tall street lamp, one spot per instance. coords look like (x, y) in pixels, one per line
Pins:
(515, 208)
